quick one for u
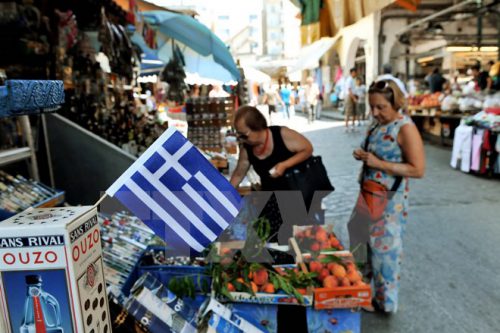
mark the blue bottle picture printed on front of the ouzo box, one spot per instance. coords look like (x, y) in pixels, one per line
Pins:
(41, 310)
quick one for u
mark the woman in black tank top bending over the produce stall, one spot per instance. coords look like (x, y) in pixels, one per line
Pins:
(271, 150)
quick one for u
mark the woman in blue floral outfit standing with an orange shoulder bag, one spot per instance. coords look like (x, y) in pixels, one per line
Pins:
(391, 153)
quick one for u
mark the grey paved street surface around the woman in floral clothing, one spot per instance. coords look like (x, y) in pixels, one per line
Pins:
(451, 271)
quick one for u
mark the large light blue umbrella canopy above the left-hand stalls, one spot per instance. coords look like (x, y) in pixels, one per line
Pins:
(194, 35)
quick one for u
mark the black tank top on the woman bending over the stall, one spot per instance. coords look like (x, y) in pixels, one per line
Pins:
(280, 153)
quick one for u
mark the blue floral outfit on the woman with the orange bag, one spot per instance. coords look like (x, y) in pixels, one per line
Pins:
(386, 235)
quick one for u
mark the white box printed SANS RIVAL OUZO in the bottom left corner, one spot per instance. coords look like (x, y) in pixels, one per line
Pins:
(51, 272)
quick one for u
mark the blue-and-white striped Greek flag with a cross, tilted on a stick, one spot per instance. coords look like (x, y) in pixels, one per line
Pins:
(177, 192)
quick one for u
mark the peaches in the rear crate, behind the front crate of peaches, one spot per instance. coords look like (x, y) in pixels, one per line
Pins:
(317, 238)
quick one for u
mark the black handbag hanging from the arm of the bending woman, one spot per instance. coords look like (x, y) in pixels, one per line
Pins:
(308, 177)
